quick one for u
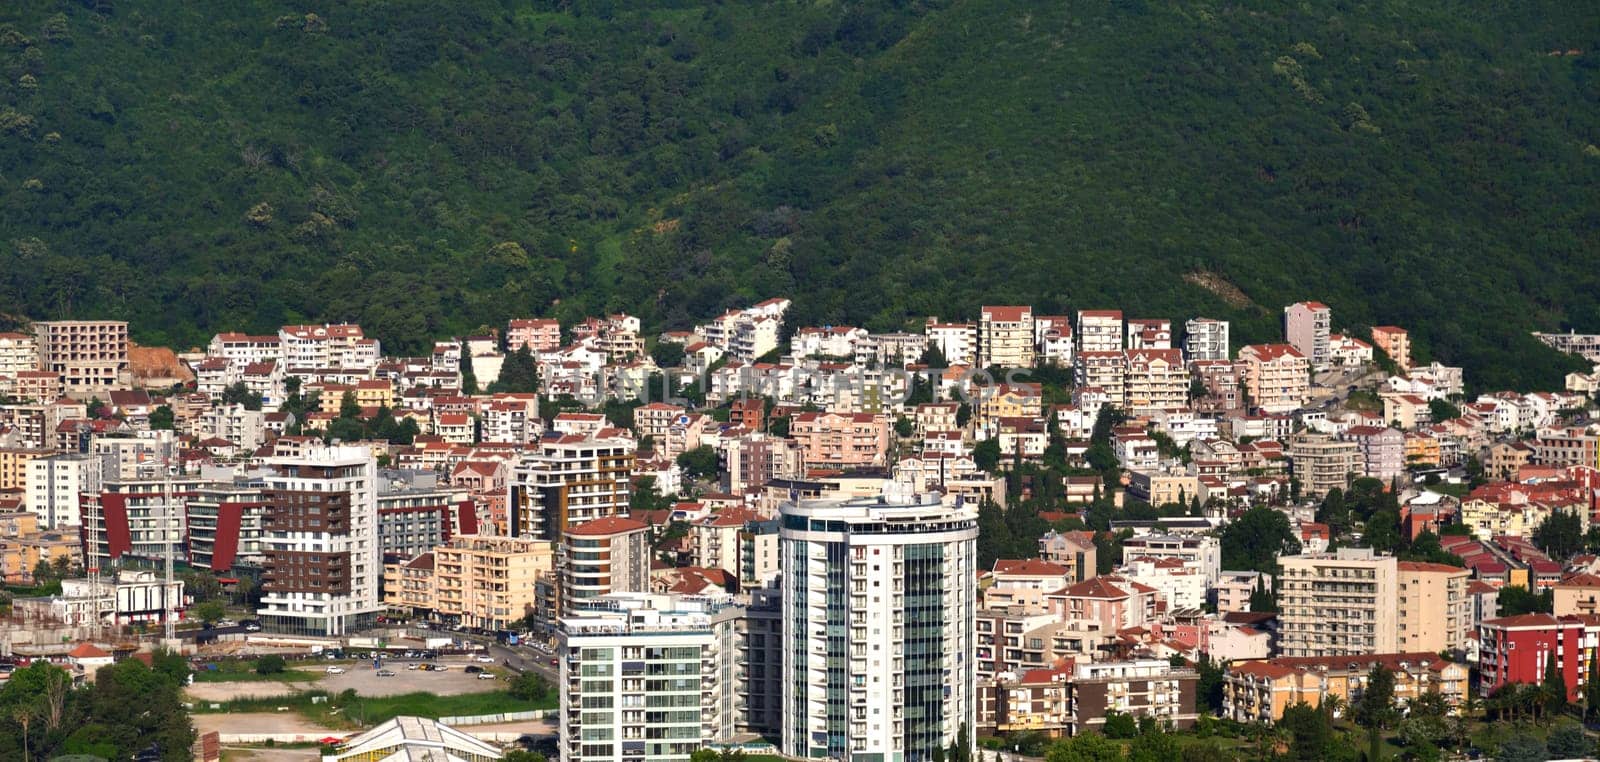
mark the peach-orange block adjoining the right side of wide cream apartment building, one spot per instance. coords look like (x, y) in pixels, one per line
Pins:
(1436, 612)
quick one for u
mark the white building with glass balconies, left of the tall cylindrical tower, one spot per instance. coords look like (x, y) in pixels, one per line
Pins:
(649, 678)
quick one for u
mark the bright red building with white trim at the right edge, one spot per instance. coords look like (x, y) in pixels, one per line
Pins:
(1518, 649)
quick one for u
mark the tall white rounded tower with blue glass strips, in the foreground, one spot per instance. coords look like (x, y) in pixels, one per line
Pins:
(879, 627)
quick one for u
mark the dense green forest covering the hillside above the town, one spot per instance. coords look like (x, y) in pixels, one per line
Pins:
(434, 167)
